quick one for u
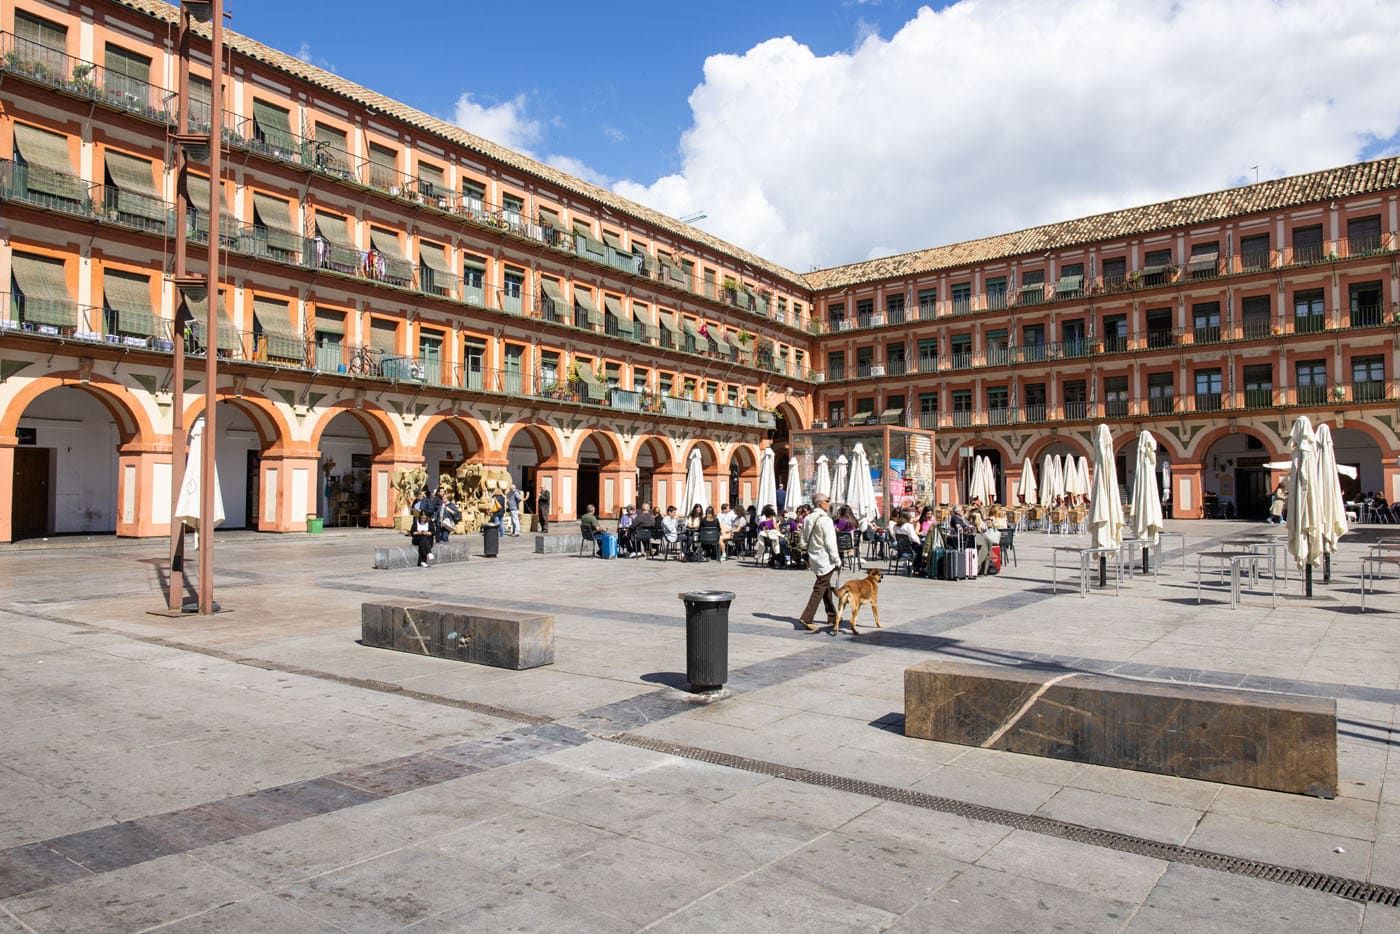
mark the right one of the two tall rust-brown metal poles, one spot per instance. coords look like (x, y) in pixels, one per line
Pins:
(216, 204)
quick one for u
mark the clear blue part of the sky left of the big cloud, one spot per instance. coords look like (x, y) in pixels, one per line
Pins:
(607, 82)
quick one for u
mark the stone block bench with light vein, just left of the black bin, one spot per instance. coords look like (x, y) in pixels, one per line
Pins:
(478, 635)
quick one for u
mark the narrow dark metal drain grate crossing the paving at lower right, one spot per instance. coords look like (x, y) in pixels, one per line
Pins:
(1354, 890)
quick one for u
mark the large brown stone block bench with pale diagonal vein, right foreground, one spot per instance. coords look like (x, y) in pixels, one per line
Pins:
(1283, 743)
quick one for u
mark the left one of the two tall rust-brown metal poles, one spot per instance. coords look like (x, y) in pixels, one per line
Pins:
(176, 597)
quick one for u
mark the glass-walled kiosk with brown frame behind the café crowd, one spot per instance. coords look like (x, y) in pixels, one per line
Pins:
(902, 461)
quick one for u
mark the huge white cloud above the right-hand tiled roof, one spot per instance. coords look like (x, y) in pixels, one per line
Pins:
(993, 116)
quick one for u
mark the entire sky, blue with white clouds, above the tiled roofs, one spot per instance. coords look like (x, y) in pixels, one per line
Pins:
(824, 132)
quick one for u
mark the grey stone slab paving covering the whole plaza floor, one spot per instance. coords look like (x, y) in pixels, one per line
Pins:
(261, 771)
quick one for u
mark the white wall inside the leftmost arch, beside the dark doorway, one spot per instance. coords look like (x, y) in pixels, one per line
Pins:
(85, 440)
